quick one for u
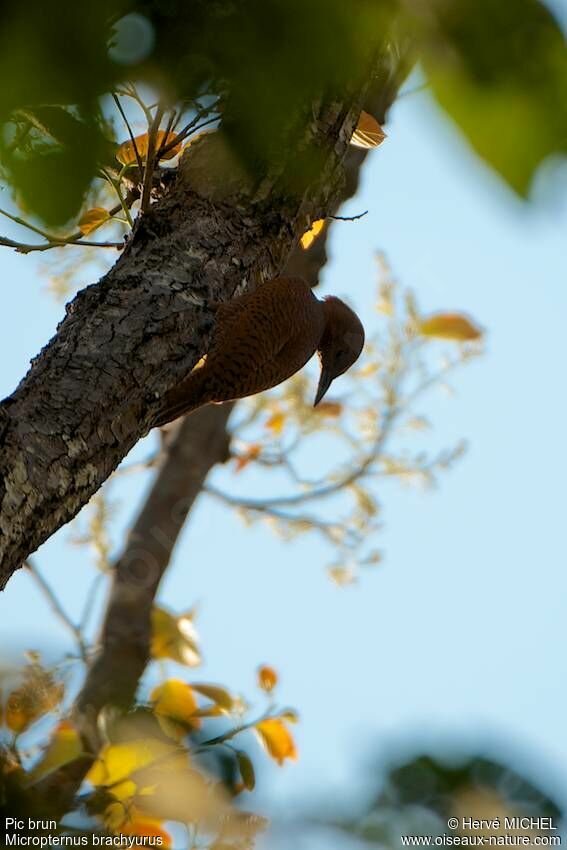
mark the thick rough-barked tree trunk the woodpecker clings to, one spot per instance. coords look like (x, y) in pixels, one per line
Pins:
(124, 341)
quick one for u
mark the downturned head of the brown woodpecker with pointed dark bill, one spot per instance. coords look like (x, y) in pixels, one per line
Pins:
(341, 343)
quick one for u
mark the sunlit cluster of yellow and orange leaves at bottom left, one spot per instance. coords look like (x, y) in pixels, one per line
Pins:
(150, 776)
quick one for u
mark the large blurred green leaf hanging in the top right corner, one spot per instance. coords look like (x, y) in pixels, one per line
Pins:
(500, 71)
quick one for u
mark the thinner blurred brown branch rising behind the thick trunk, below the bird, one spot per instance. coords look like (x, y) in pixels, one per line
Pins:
(191, 449)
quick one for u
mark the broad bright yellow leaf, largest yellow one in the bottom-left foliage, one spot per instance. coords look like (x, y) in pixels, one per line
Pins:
(116, 762)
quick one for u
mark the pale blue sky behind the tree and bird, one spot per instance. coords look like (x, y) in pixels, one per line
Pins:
(461, 632)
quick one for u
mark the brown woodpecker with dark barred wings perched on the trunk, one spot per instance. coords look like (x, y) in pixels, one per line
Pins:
(261, 339)
